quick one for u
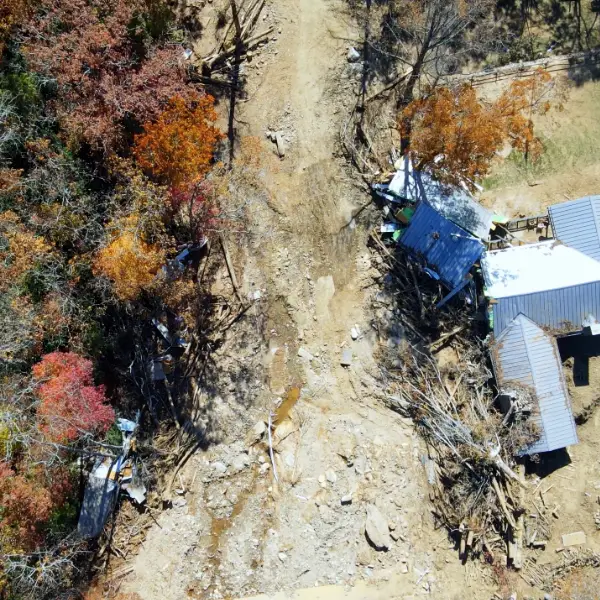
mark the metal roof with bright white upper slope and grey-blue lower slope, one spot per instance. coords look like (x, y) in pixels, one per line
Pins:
(554, 285)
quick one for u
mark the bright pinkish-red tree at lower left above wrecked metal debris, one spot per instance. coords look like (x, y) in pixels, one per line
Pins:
(71, 406)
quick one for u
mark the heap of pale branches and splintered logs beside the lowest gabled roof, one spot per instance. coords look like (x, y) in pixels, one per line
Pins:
(478, 491)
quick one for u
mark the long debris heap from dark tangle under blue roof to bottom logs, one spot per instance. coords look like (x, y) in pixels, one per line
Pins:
(477, 489)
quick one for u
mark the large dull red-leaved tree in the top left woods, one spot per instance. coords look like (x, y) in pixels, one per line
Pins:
(106, 77)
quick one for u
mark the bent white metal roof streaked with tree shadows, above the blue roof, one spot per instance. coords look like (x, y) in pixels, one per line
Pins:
(454, 203)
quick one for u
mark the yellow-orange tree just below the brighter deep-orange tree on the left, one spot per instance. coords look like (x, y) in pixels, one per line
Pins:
(129, 261)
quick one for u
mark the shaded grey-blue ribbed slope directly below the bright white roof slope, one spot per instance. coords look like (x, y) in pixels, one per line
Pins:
(562, 310)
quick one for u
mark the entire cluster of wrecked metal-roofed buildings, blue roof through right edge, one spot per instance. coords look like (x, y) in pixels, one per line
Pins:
(534, 295)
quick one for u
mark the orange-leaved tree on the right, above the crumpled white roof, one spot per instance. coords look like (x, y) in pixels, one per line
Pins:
(456, 136)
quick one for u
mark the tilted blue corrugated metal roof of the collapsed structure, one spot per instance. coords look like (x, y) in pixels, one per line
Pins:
(448, 249)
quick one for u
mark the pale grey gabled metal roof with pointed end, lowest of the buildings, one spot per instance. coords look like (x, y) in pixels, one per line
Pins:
(526, 355)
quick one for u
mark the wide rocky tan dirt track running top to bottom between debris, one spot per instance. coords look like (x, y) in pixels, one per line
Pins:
(236, 528)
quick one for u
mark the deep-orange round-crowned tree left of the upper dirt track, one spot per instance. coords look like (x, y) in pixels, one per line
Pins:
(179, 146)
